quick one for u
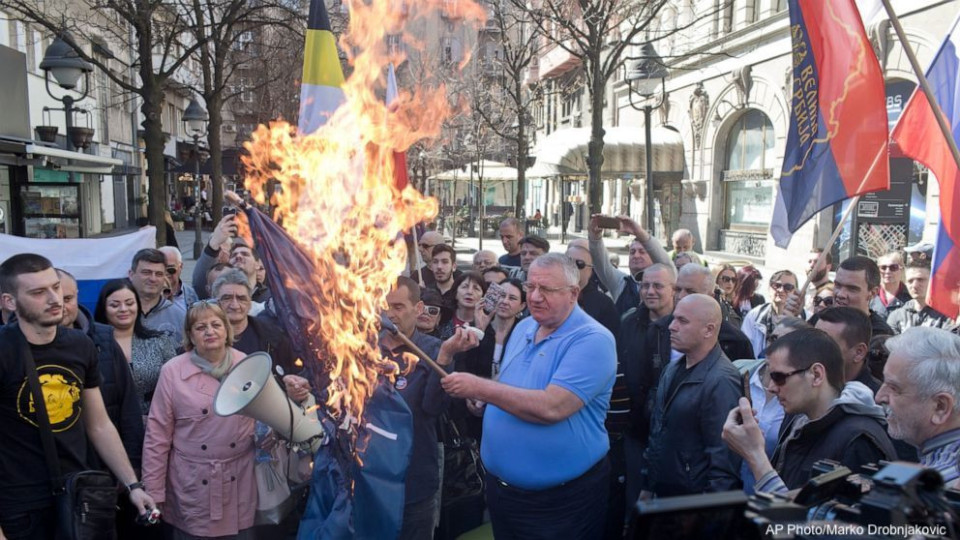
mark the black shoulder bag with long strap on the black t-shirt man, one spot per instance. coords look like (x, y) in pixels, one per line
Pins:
(86, 501)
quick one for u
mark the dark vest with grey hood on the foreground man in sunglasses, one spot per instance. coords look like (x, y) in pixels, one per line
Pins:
(853, 433)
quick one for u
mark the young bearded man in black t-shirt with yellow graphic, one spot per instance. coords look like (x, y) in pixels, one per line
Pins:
(66, 363)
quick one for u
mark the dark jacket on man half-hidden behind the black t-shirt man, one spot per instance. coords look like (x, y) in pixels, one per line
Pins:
(117, 387)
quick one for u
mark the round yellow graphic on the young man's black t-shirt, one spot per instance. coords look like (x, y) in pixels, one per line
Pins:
(61, 390)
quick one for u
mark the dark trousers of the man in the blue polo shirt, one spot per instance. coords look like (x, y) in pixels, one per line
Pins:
(576, 509)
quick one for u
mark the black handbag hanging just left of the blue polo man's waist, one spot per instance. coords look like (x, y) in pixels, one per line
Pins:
(463, 472)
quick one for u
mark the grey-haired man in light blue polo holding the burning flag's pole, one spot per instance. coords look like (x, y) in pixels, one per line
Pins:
(544, 440)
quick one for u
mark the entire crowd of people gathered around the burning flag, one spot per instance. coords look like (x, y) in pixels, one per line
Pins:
(591, 387)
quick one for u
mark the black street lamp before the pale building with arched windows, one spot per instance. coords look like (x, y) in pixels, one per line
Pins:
(647, 75)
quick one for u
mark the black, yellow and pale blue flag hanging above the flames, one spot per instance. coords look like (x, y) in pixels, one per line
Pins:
(320, 90)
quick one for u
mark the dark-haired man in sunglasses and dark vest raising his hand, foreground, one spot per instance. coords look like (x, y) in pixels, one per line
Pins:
(827, 418)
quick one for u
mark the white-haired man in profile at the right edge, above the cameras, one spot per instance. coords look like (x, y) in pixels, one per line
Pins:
(921, 383)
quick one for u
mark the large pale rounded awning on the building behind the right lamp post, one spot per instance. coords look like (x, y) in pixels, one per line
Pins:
(564, 152)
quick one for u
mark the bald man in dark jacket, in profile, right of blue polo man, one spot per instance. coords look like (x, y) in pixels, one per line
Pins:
(686, 454)
